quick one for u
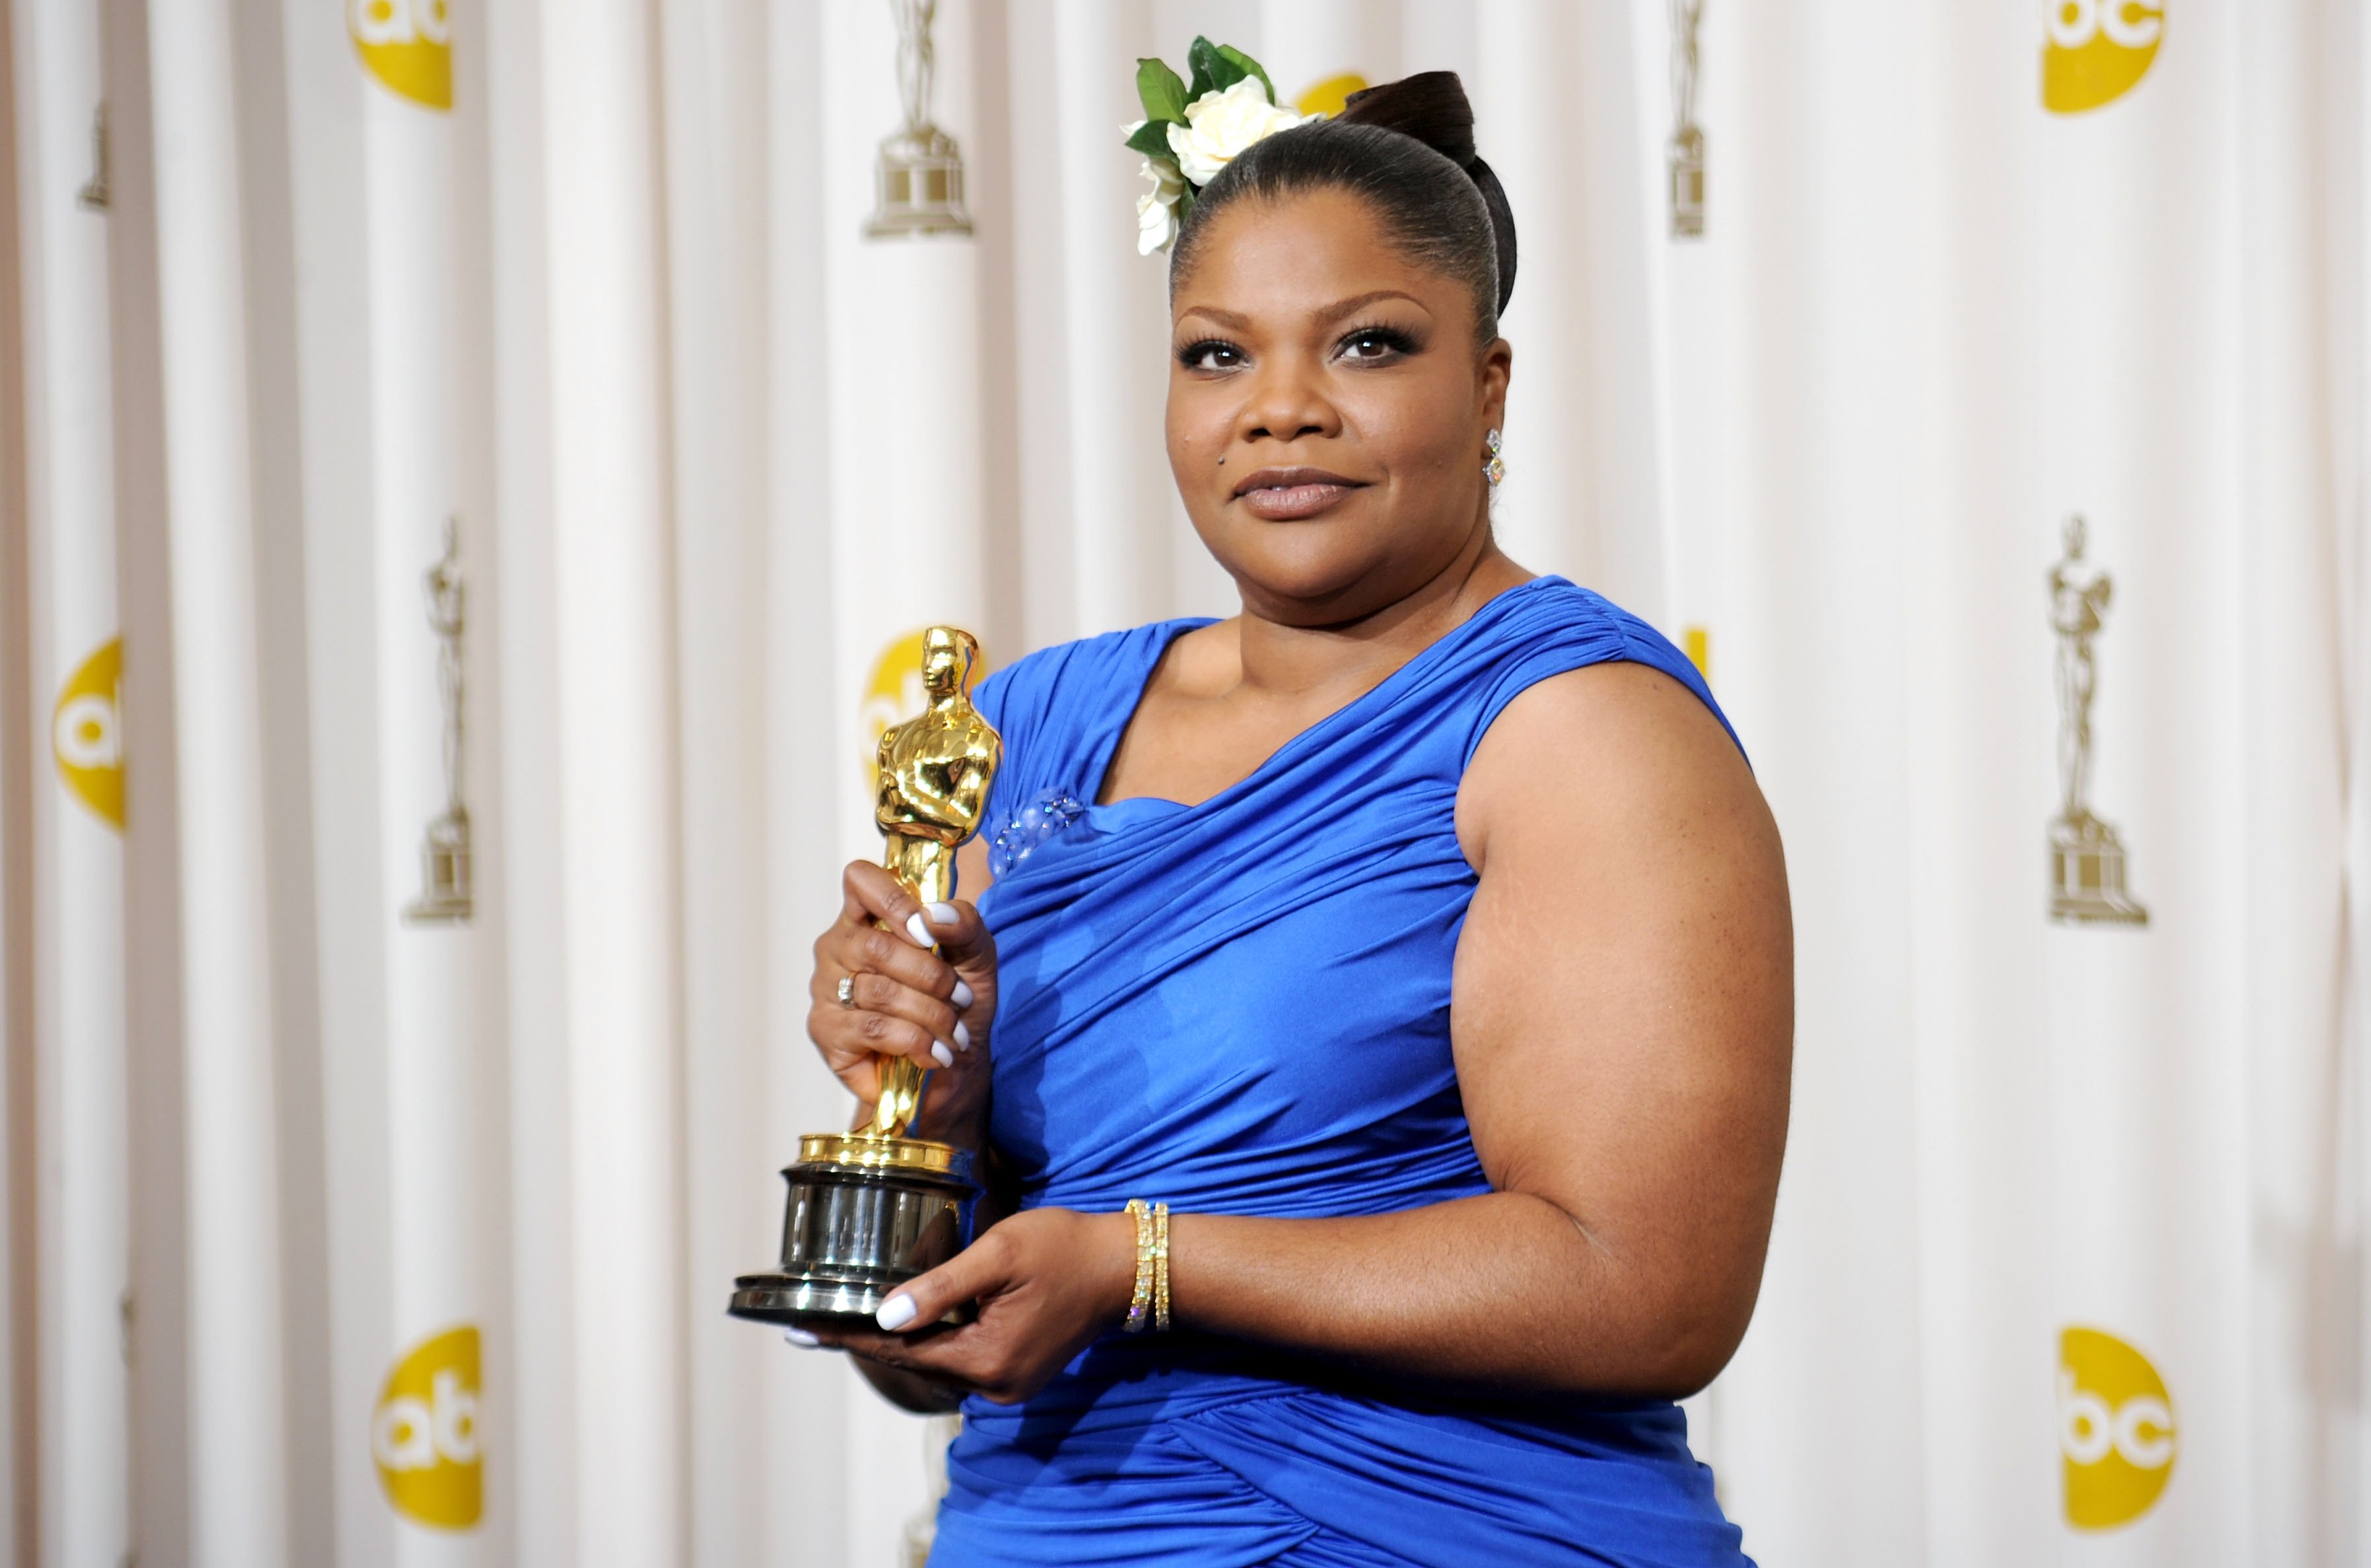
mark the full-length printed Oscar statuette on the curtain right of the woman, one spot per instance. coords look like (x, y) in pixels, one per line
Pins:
(2088, 858)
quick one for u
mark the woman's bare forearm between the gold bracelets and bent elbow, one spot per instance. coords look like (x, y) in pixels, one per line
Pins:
(1500, 1292)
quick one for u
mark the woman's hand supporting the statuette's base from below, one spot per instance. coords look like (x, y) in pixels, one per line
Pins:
(1047, 1282)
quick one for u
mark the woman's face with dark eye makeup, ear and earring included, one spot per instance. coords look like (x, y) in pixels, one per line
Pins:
(1327, 409)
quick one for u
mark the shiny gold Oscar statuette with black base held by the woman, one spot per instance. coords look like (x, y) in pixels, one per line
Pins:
(874, 1209)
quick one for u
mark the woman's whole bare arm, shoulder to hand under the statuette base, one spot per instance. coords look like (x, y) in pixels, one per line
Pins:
(1623, 1024)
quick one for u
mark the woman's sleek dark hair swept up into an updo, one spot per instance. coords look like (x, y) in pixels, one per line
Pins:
(1407, 151)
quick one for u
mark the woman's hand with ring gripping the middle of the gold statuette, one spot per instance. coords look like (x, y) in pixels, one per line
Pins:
(907, 1000)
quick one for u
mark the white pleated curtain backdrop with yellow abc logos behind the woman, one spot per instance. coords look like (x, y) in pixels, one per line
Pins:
(492, 431)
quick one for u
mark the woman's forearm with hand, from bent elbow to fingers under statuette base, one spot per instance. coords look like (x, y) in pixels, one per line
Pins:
(1497, 1294)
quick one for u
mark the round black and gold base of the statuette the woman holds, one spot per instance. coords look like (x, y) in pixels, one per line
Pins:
(864, 1216)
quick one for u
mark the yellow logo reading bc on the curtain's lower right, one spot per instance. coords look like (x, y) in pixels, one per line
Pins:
(2116, 1429)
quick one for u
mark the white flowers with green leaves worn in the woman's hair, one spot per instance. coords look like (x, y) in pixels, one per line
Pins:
(1194, 132)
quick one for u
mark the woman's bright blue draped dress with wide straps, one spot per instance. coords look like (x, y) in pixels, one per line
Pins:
(1244, 1009)
